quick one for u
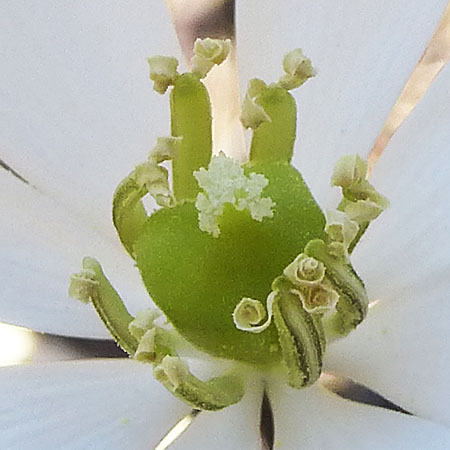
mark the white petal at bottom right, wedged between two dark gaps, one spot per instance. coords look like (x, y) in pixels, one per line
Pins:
(314, 418)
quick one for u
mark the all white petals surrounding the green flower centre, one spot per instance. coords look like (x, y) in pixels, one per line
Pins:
(78, 111)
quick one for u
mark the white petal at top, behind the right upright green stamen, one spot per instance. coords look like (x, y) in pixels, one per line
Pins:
(363, 51)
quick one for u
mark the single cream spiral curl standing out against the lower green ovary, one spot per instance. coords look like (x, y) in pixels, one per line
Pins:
(249, 312)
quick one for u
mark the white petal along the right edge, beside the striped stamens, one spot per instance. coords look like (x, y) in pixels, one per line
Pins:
(402, 350)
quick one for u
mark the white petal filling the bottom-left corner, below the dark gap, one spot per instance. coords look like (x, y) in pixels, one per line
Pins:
(79, 405)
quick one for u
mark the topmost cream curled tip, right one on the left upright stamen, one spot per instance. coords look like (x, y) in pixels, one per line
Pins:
(208, 53)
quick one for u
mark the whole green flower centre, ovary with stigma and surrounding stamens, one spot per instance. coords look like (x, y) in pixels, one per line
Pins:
(230, 238)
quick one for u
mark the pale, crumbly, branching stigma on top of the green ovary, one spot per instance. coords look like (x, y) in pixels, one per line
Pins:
(224, 182)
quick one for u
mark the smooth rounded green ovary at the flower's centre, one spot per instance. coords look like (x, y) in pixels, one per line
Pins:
(197, 279)
